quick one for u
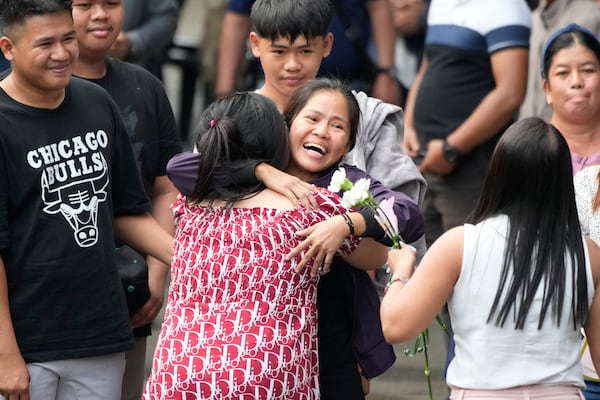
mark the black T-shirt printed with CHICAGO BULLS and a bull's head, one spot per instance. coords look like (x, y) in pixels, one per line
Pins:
(64, 174)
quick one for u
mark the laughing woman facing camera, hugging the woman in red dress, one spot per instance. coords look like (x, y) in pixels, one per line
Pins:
(323, 118)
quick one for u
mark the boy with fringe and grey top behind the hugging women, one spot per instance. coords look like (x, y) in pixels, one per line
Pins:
(291, 39)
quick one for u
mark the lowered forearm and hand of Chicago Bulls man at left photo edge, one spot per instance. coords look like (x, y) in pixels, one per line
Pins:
(14, 377)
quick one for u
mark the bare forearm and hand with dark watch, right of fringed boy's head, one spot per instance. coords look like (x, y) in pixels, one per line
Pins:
(385, 87)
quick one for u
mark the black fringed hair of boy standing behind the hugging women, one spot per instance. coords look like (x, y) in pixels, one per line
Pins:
(291, 18)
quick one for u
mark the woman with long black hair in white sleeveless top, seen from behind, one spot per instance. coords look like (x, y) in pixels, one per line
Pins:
(520, 280)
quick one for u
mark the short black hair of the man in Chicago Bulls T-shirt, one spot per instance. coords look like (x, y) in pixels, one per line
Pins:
(14, 13)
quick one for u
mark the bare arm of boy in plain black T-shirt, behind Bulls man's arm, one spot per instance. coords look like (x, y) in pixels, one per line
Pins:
(164, 195)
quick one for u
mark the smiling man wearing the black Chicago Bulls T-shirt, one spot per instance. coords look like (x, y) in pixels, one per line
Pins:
(68, 184)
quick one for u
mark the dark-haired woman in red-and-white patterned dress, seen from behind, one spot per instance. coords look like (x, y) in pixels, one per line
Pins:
(241, 317)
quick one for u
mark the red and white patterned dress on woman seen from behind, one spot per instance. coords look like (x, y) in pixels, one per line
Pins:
(240, 323)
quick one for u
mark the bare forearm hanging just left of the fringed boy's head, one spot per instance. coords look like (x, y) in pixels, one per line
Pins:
(234, 33)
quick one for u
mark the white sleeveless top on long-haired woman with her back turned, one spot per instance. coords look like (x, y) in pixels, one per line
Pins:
(490, 357)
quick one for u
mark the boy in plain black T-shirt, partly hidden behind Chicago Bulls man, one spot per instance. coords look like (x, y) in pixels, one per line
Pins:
(151, 126)
